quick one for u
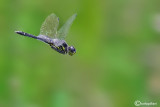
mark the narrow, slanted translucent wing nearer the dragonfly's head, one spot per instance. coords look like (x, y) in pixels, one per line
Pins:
(62, 33)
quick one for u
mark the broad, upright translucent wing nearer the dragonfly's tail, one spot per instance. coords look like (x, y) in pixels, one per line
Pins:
(49, 26)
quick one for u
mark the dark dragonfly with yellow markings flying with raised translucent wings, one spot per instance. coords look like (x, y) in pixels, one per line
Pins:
(55, 38)
